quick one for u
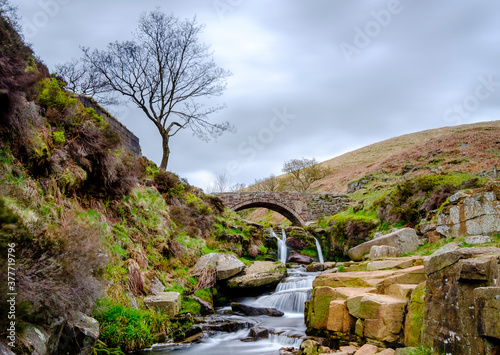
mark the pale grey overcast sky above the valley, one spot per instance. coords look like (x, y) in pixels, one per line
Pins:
(311, 78)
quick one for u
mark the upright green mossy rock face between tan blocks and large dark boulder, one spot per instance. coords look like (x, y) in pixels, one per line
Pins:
(414, 321)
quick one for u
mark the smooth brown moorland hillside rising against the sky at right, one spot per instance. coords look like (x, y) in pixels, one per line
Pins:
(468, 148)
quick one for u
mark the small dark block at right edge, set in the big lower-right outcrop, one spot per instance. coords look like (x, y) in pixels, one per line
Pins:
(487, 302)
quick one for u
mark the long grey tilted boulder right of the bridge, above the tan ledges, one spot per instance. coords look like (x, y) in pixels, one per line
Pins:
(405, 240)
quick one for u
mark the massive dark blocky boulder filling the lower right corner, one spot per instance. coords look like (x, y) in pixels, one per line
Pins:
(462, 285)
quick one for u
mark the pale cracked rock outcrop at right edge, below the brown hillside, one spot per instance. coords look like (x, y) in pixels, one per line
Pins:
(474, 213)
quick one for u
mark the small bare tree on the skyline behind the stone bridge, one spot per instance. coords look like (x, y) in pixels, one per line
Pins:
(302, 173)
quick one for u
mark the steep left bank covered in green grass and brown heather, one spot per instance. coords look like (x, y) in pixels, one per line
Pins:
(93, 227)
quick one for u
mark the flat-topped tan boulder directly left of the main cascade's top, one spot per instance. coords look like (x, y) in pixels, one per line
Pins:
(260, 273)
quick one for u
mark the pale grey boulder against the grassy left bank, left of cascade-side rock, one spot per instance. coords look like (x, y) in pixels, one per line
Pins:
(227, 265)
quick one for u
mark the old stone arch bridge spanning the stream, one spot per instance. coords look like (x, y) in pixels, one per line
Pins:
(298, 207)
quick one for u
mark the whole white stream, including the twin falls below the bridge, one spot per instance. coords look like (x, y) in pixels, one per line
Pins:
(287, 331)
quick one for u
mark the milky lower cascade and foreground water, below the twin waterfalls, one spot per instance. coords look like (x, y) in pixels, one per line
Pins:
(287, 331)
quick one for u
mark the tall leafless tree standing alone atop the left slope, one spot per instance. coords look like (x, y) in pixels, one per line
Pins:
(167, 73)
